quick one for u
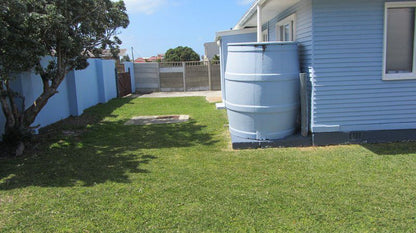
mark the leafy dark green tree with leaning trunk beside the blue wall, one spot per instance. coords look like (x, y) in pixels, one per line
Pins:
(68, 32)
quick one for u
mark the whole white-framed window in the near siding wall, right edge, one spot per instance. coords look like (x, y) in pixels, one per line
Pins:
(399, 41)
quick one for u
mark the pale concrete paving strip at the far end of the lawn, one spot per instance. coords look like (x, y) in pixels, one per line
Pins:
(211, 96)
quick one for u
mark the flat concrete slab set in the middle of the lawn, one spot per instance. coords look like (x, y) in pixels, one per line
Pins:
(149, 120)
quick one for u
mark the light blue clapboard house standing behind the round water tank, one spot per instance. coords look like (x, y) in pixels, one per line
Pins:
(360, 59)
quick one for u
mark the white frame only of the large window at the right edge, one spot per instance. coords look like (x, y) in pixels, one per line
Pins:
(401, 76)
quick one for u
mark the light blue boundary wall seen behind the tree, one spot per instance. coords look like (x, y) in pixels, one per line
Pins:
(79, 90)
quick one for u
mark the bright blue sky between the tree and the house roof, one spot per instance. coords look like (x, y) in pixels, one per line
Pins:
(157, 25)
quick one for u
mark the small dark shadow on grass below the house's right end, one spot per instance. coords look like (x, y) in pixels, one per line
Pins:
(397, 148)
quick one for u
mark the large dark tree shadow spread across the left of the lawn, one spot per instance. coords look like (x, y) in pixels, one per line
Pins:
(104, 152)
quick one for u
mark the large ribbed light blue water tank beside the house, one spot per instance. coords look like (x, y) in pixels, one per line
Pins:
(262, 89)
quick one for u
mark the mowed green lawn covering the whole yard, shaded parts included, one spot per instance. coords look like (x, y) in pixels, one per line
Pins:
(185, 178)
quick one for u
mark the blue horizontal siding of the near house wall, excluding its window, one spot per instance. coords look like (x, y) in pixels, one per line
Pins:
(348, 91)
